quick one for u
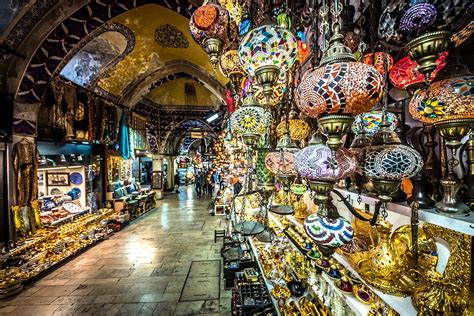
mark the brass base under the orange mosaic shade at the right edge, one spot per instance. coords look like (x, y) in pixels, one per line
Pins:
(454, 130)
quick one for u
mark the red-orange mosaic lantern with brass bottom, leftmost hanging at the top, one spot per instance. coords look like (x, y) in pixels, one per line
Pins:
(213, 29)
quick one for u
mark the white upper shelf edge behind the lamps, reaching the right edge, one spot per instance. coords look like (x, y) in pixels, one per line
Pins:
(462, 224)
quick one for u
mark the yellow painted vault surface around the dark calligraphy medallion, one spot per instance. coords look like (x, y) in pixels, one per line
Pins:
(150, 54)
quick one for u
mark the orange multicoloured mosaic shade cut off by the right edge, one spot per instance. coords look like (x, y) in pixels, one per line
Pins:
(443, 100)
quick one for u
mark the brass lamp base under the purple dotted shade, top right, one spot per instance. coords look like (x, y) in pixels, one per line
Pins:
(425, 50)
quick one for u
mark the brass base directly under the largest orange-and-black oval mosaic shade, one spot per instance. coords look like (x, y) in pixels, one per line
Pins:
(334, 127)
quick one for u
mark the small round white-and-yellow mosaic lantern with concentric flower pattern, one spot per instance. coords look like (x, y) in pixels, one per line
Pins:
(251, 120)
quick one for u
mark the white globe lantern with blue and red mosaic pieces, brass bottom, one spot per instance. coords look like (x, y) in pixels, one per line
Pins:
(265, 51)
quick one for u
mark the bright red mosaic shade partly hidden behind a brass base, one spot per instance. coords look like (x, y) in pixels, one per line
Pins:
(405, 72)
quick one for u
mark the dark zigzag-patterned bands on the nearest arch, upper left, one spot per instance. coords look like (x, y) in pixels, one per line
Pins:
(68, 34)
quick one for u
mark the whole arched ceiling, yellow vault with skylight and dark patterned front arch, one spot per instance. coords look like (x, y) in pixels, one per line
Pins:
(129, 71)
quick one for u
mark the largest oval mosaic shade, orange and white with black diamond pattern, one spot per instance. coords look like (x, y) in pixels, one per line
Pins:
(339, 88)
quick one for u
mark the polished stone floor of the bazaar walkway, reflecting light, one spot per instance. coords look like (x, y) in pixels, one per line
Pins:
(141, 270)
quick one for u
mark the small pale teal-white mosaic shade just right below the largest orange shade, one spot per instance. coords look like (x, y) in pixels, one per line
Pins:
(370, 122)
